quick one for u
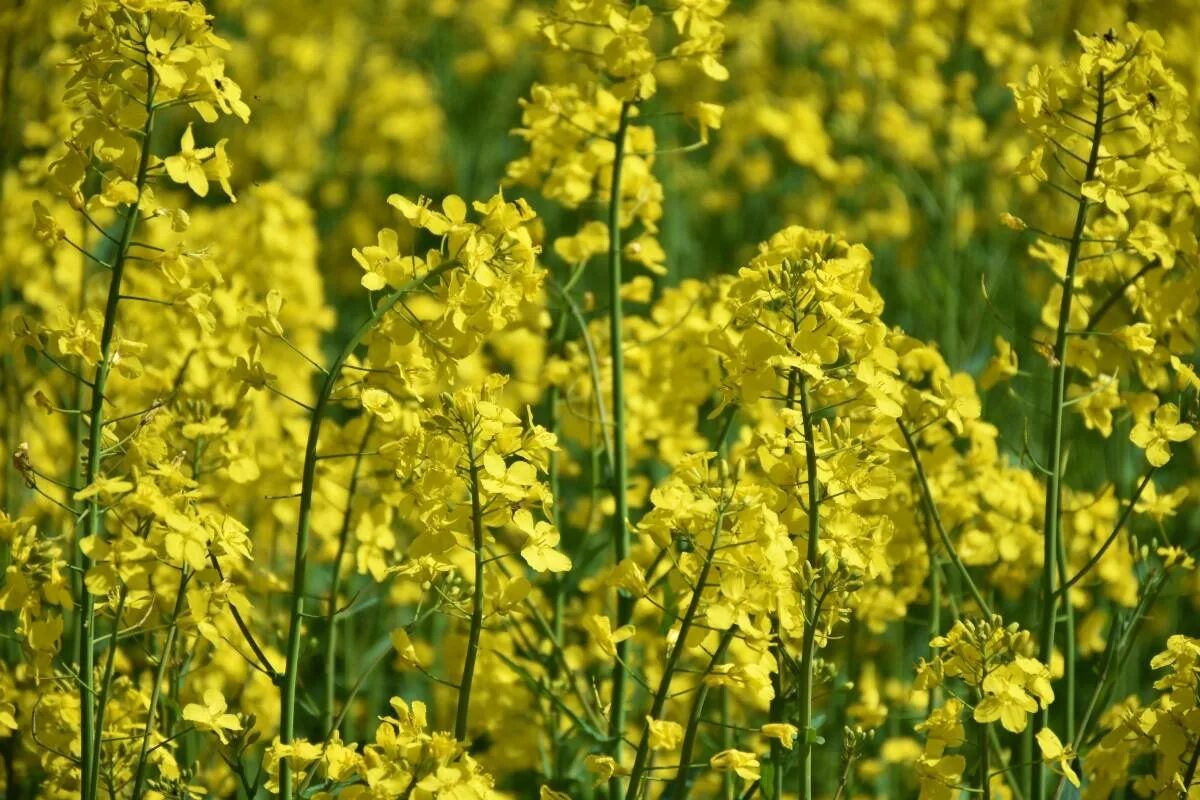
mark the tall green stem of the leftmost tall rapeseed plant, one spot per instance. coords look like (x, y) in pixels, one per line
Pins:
(87, 618)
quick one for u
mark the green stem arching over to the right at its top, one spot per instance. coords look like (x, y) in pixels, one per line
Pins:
(308, 484)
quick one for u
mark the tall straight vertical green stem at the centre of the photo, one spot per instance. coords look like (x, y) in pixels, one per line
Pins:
(620, 473)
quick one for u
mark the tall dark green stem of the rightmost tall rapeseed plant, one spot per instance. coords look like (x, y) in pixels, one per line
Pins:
(1053, 522)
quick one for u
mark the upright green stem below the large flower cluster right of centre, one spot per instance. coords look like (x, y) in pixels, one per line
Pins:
(808, 647)
